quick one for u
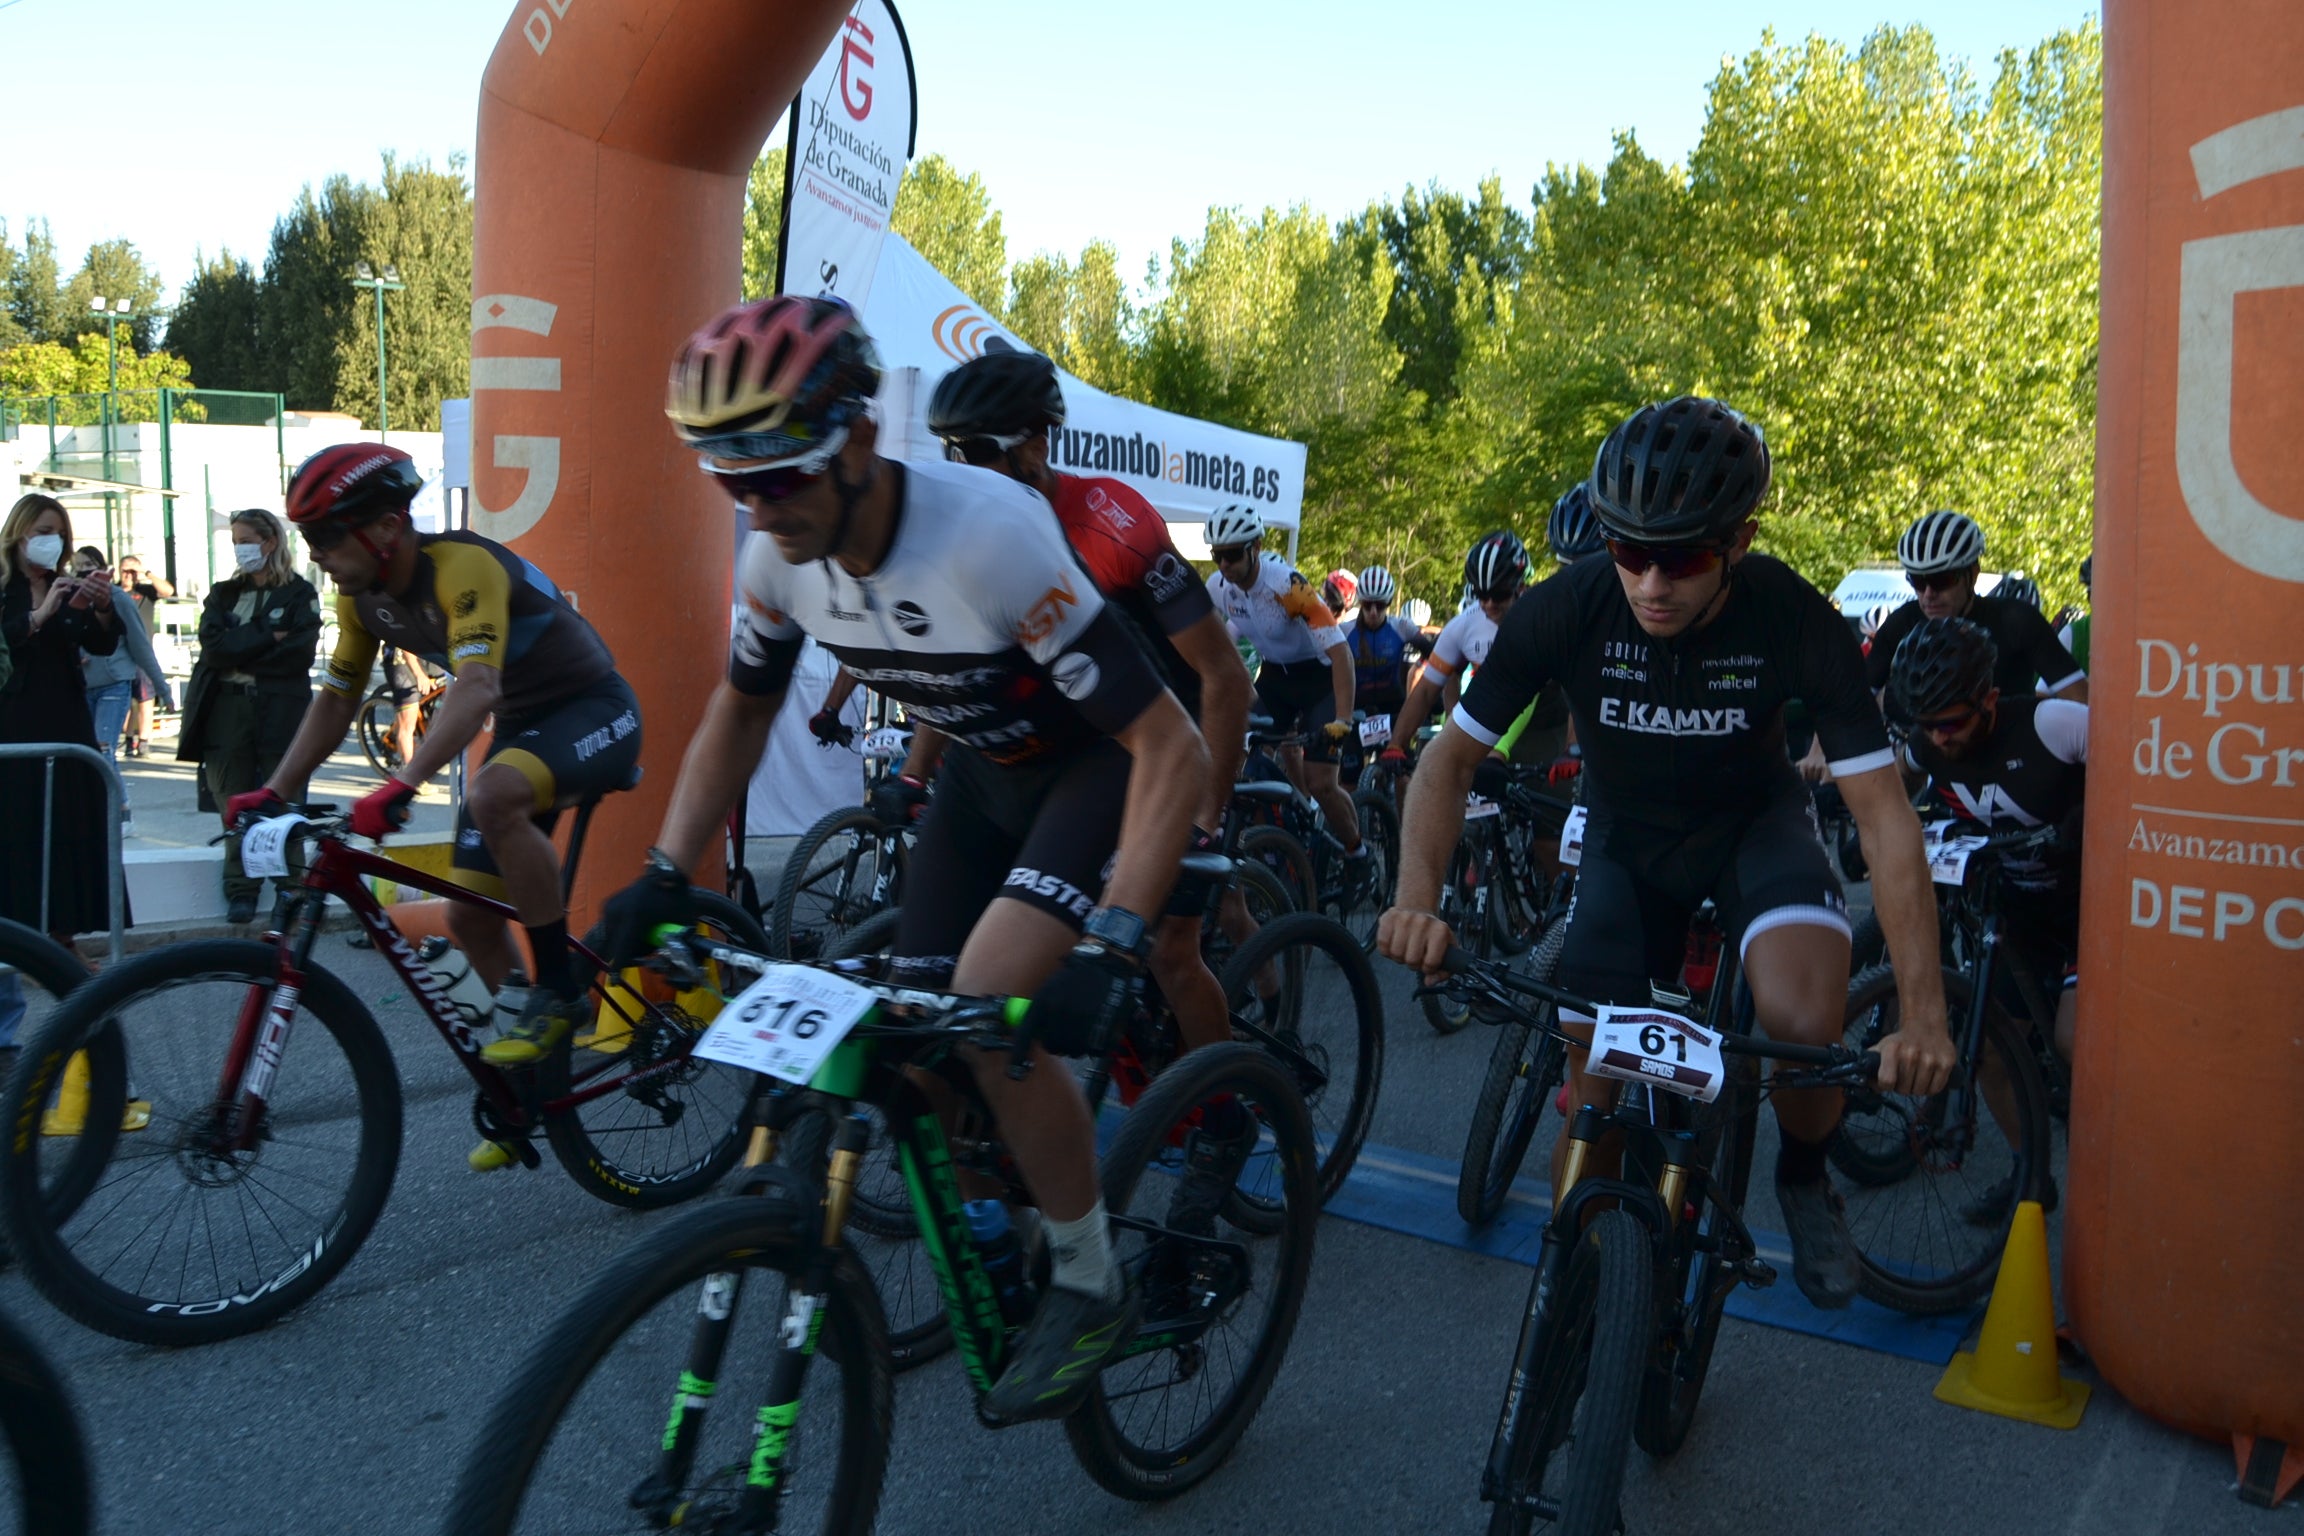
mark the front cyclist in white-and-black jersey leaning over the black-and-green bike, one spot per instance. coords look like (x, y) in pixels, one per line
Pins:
(953, 593)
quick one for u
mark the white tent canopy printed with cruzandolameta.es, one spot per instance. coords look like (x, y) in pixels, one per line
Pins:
(925, 328)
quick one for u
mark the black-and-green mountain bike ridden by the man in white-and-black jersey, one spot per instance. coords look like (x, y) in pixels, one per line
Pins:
(683, 1321)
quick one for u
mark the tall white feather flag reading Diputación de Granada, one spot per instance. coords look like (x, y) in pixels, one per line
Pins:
(854, 130)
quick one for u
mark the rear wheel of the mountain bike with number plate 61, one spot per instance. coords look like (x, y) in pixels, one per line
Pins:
(1681, 1364)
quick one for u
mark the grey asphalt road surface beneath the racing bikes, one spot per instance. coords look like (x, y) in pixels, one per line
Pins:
(356, 1413)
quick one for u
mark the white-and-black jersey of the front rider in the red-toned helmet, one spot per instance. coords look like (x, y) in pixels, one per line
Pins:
(980, 621)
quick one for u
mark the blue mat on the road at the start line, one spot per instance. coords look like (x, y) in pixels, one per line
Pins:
(1414, 1194)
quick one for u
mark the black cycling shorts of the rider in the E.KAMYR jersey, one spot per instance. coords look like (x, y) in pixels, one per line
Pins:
(1632, 927)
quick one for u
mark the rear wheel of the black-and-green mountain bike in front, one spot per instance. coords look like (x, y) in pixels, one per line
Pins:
(1218, 1314)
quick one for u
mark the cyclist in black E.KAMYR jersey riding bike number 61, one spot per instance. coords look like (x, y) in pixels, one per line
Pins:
(1678, 657)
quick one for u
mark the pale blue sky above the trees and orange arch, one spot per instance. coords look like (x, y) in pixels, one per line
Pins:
(195, 126)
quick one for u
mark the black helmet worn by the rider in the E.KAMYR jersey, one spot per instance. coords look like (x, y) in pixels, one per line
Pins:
(1688, 471)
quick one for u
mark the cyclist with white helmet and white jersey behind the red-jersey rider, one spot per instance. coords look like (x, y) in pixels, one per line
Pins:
(1308, 669)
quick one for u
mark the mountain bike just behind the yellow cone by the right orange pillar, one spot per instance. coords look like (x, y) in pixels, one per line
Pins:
(1932, 1185)
